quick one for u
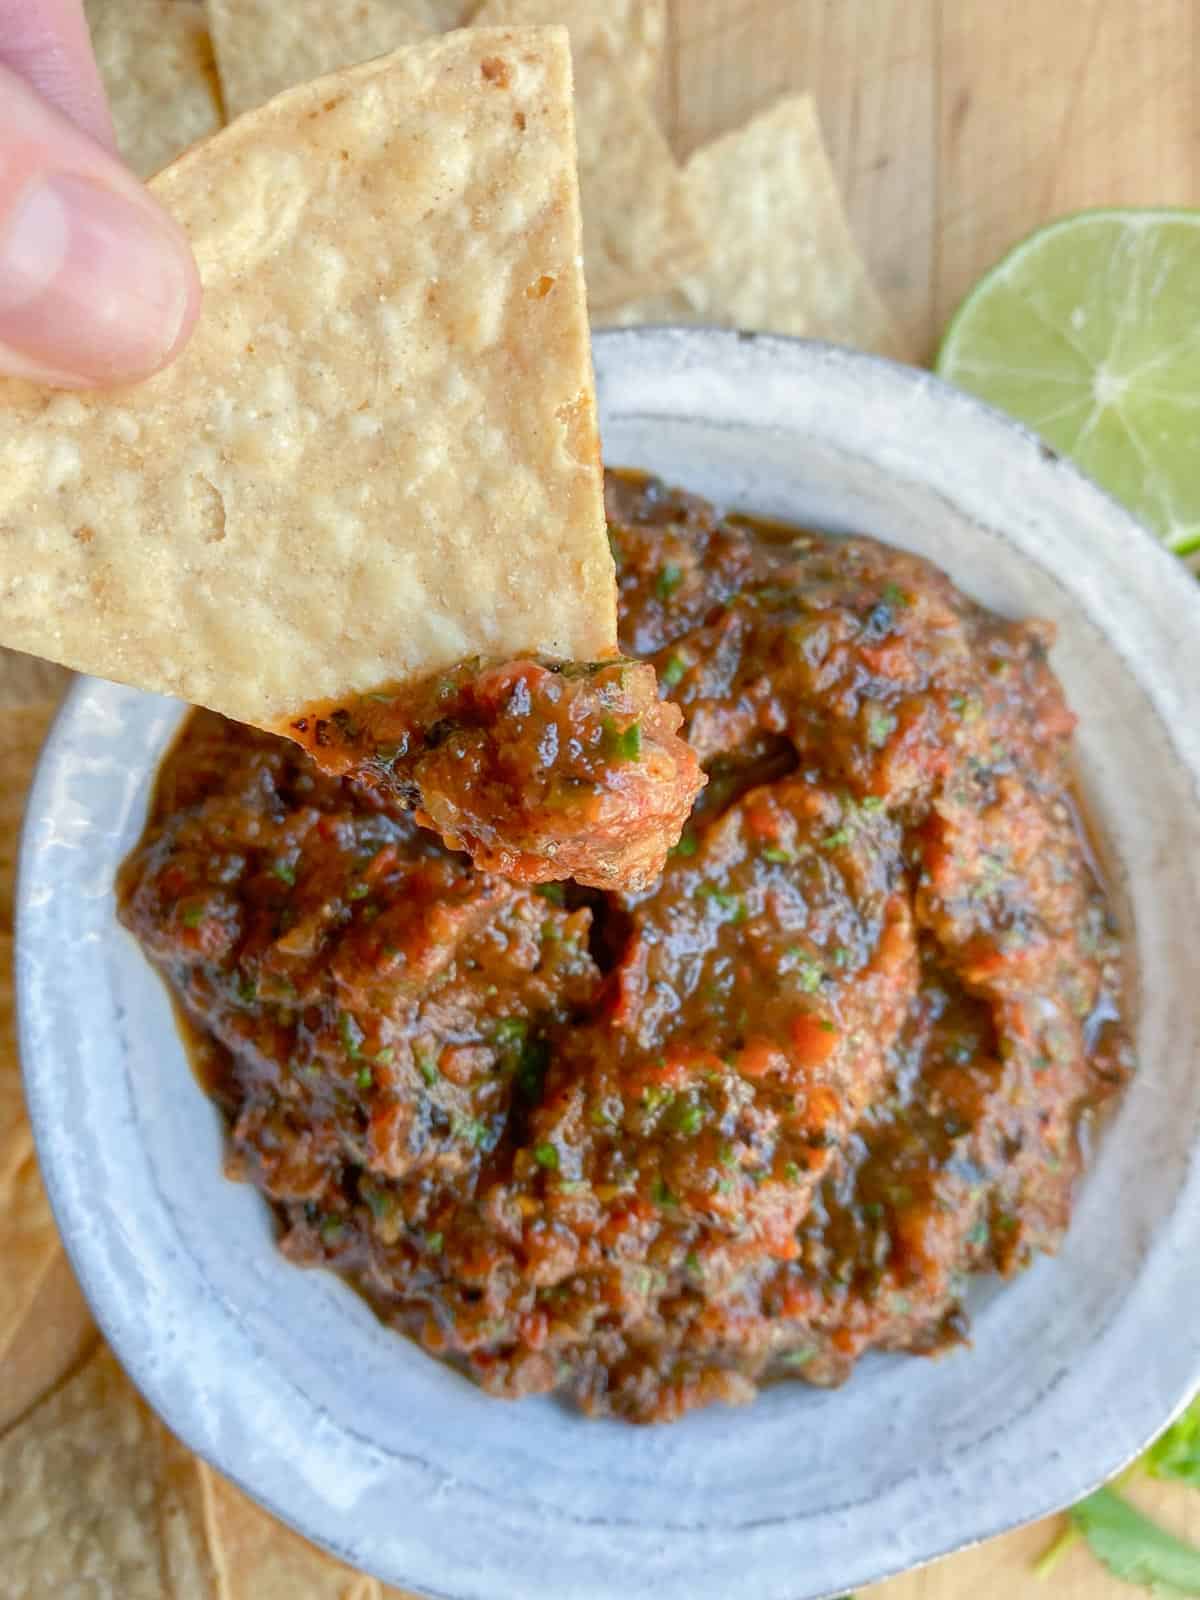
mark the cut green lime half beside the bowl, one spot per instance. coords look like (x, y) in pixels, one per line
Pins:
(1090, 332)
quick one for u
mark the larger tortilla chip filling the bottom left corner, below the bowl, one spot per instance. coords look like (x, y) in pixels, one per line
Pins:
(97, 1498)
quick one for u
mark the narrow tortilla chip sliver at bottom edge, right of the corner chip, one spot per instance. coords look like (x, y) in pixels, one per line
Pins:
(260, 1559)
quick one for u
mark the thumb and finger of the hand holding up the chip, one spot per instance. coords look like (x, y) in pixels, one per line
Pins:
(97, 284)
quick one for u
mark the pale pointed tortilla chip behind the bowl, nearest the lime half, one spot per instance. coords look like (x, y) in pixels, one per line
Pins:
(783, 257)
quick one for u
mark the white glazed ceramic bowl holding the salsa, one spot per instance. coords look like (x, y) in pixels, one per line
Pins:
(286, 1382)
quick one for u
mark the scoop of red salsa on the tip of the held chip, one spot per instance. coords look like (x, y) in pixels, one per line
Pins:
(537, 770)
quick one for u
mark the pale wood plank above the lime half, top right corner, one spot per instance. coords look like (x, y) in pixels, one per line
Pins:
(1046, 110)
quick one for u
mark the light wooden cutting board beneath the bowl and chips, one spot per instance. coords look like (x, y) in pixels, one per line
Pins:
(956, 127)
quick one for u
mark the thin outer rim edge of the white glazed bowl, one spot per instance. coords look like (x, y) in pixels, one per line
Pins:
(684, 350)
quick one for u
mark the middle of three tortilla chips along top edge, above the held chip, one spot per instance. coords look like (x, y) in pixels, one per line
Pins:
(265, 47)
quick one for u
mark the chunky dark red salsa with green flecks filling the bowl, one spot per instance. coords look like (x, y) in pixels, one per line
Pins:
(652, 1146)
